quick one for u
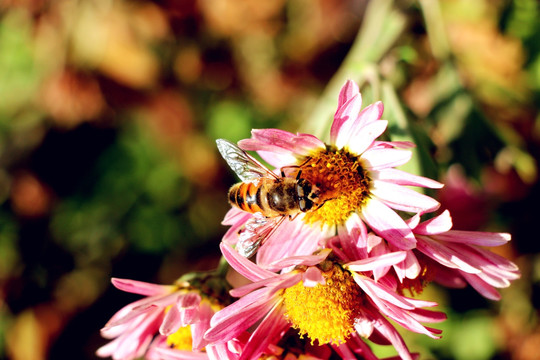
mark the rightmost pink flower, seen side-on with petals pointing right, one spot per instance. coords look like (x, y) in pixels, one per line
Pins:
(450, 257)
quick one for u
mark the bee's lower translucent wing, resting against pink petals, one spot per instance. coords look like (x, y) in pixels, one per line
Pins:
(255, 232)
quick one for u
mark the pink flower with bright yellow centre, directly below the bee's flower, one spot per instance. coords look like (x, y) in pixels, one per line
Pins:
(325, 300)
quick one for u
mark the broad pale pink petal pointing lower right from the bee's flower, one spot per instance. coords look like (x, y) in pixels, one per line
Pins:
(387, 224)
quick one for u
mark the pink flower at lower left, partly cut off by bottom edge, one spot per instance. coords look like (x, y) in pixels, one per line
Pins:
(165, 310)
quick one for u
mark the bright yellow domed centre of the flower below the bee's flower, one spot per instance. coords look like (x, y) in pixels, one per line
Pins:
(326, 313)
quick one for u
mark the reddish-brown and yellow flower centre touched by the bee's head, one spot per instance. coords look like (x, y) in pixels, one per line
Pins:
(343, 184)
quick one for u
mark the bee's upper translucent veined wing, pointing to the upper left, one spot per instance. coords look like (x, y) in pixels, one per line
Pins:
(244, 165)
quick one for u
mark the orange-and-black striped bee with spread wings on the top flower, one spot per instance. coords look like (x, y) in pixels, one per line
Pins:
(270, 197)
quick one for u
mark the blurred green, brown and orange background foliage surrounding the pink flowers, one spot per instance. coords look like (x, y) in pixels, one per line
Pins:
(109, 111)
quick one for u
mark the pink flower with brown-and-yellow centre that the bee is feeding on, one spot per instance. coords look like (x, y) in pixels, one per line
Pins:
(354, 174)
